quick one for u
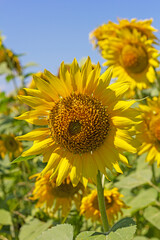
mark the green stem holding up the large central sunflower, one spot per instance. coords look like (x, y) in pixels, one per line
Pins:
(101, 203)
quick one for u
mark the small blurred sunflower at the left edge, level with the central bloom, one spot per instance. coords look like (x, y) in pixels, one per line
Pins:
(8, 144)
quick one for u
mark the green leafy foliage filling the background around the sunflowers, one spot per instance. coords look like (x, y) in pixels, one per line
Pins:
(21, 220)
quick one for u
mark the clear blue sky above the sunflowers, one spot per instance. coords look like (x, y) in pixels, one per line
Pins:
(50, 31)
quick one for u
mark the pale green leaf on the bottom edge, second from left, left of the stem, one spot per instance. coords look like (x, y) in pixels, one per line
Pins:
(59, 232)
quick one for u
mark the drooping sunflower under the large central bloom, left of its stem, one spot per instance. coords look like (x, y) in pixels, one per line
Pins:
(51, 198)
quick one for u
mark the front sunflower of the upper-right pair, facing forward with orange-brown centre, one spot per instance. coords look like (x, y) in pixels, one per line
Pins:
(133, 58)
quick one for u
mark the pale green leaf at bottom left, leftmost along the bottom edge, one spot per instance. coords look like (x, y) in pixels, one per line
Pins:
(33, 229)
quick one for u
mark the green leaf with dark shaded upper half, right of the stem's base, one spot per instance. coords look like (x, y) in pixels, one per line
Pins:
(122, 230)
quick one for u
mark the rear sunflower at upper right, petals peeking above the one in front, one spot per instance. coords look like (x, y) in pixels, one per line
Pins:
(110, 29)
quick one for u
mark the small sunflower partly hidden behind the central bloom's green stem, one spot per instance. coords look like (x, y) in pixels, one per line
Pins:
(90, 209)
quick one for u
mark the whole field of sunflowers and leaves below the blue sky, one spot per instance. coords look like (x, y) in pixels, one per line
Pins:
(80, 148)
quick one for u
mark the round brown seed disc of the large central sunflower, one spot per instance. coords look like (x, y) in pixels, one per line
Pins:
(80, 131)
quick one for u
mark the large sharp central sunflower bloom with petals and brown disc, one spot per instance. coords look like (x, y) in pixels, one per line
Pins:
(86, 122)
